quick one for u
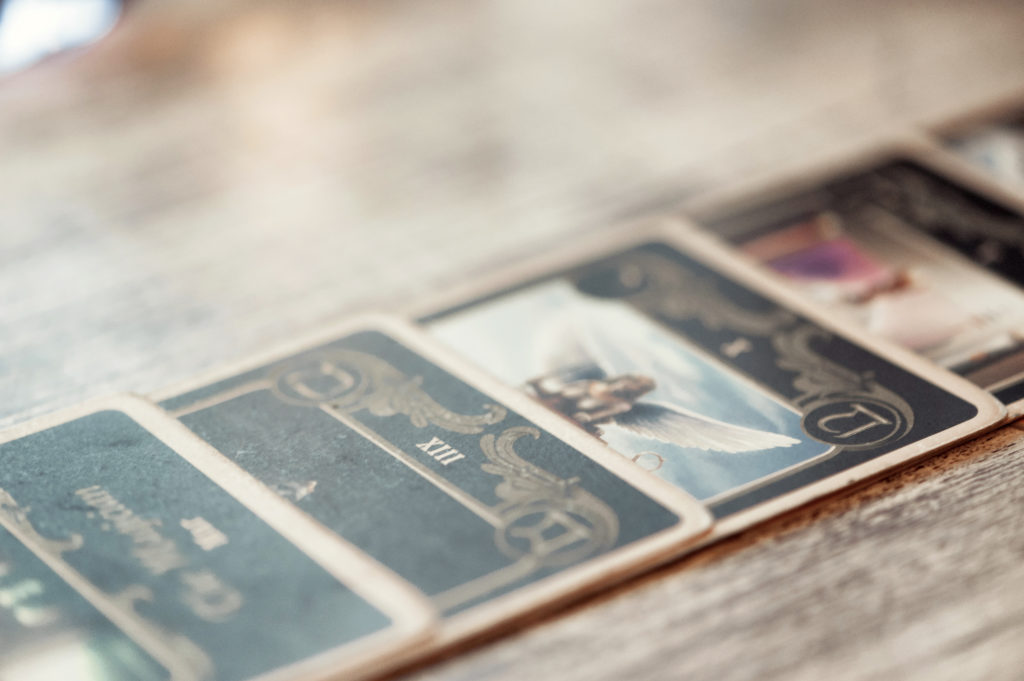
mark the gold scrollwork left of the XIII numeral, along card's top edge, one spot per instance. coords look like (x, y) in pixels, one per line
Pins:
(351, 381)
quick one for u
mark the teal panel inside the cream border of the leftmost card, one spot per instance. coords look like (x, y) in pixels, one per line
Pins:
(195, 579)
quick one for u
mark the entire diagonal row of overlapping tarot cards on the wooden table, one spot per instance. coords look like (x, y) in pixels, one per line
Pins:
(336, 508)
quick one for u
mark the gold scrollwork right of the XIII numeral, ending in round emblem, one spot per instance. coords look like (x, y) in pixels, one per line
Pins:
(545, 519)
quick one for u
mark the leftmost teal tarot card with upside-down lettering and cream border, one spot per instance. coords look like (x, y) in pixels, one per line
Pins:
(121, 558)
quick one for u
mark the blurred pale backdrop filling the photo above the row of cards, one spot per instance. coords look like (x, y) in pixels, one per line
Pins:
(215, 177)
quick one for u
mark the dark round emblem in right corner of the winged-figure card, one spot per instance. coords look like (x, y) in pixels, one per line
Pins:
(855, 423)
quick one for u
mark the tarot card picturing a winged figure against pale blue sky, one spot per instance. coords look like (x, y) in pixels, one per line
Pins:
(707, 374)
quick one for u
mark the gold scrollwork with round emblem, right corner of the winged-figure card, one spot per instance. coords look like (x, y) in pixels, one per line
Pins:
(840, 407)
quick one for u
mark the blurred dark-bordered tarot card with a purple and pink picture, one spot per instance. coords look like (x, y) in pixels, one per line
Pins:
(908, 253)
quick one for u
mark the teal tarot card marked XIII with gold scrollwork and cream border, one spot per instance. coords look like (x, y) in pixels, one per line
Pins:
(391, 444)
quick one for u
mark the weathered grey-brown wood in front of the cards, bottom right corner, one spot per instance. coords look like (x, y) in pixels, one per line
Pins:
(917, 577)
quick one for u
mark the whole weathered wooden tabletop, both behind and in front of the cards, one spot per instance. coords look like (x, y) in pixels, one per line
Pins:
(218, 178)
